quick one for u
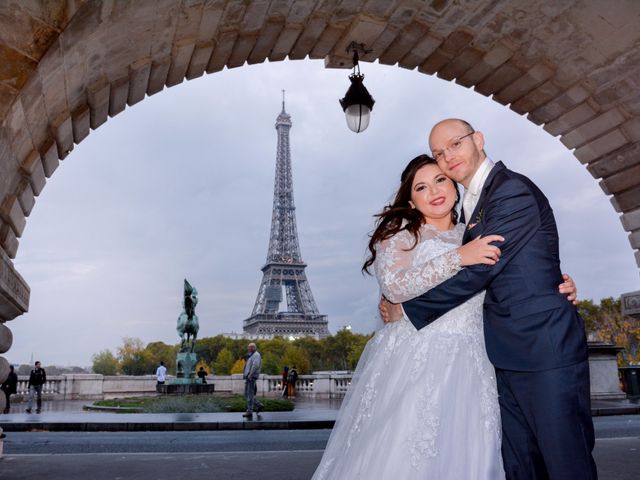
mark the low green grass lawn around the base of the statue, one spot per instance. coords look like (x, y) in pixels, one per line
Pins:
(191, 404)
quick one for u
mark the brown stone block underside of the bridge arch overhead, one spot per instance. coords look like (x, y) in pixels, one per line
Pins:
(66, 66)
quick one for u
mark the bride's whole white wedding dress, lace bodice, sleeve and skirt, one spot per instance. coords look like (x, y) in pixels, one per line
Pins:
(422, 404)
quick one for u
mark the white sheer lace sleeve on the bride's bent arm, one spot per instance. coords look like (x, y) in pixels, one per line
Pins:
(400, 279)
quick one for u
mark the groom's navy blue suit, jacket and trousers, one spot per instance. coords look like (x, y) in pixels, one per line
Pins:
(534, 336)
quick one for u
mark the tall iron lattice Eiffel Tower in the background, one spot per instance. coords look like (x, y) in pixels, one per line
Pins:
(284, 269)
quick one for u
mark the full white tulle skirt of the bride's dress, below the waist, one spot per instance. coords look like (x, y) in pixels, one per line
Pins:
(422, 405)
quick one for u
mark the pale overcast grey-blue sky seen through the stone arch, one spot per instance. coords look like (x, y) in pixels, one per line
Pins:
(181, 185)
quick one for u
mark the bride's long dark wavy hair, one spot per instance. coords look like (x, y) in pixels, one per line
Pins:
(391, 218)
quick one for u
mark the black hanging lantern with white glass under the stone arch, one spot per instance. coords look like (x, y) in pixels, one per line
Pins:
(357, 102)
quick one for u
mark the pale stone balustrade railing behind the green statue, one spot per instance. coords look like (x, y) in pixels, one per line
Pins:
(98, 387)
